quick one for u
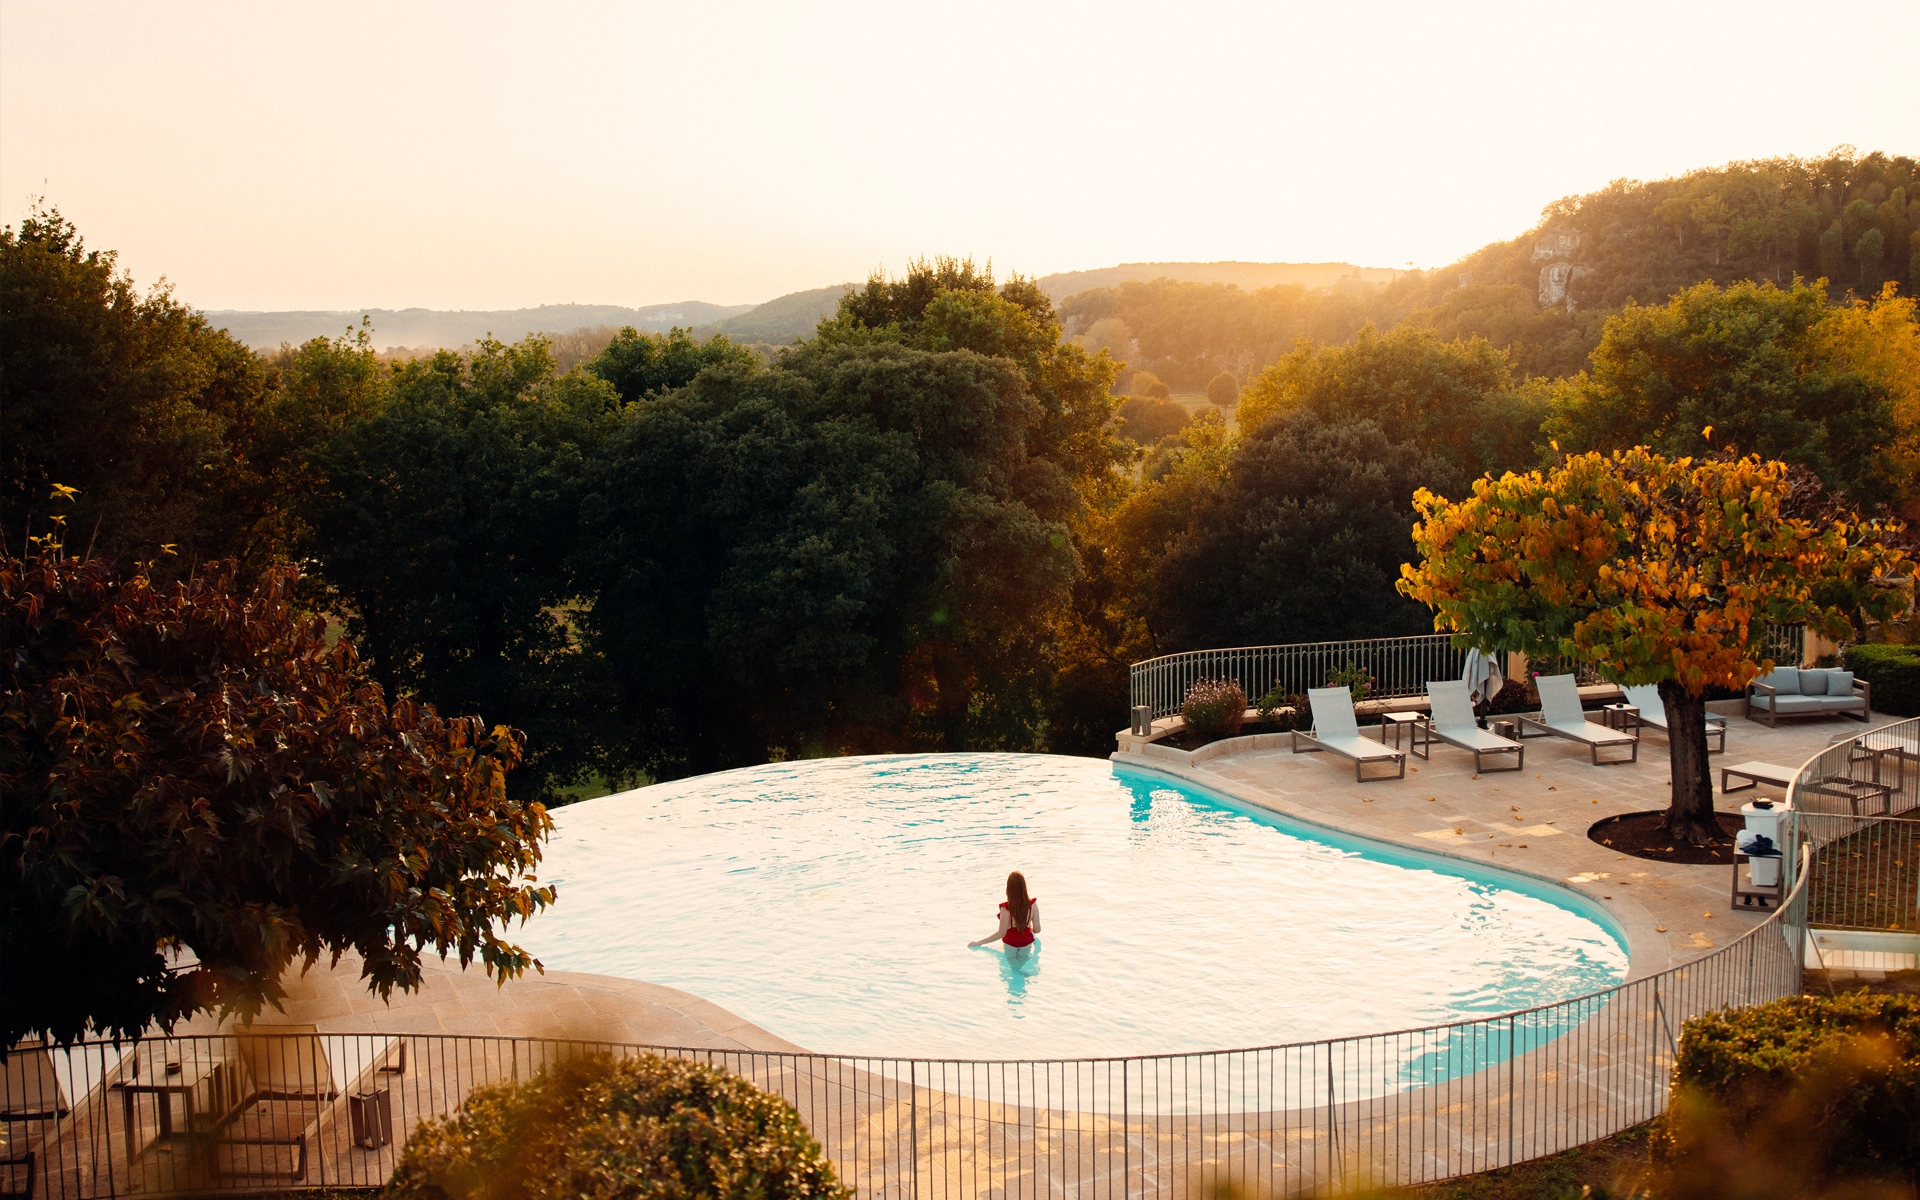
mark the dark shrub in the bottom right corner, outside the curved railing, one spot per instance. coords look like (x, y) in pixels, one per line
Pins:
(1806, 1088)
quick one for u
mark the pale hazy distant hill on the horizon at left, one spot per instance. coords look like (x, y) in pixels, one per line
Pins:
(452, 329)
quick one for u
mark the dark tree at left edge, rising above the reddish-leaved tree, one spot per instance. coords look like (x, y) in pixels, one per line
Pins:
(133, 400)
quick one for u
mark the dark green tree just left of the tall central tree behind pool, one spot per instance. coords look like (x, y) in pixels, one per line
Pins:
(446, 531)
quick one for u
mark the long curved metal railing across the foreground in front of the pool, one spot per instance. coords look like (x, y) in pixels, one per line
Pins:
(295, 1111)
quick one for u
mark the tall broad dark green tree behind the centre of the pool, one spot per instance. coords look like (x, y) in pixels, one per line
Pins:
(853, 550)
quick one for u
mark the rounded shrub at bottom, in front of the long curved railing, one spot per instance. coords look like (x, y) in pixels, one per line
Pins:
(600, 1128)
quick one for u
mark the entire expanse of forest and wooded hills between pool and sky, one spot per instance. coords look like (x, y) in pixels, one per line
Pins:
(940, 523)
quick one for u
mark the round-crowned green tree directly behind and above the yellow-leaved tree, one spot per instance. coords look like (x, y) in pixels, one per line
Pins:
(1733, 368)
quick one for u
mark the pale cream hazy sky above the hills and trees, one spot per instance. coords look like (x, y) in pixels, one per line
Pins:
(306, 156)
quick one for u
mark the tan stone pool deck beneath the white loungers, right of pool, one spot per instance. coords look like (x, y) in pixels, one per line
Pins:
(1531, 821)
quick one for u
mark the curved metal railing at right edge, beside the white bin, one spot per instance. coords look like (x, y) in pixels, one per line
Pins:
(1856, 811)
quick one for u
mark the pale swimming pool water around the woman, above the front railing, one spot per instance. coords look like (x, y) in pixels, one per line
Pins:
(830, 903)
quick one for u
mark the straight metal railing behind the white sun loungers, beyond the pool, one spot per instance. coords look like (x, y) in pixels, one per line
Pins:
(1397, 665)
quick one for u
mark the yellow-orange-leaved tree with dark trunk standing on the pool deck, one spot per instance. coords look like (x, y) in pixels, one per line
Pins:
(1652, 571)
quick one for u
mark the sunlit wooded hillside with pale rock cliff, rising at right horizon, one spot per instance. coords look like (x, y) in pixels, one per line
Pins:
(1543, 297)
